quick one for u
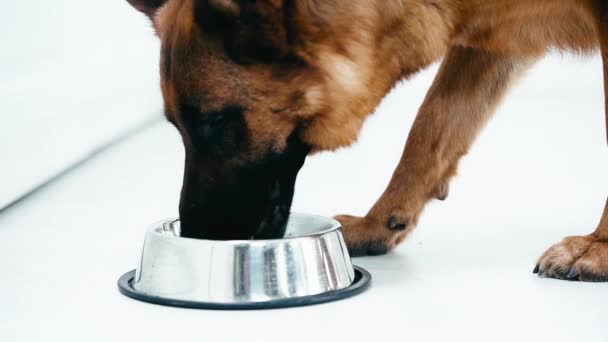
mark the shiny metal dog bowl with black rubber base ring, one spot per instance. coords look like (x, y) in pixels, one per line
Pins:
(309, 265)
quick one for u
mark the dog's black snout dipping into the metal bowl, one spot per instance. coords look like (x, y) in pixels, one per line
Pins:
(247, 201)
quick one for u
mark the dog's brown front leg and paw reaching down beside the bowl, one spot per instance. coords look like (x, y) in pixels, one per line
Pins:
(467, 88)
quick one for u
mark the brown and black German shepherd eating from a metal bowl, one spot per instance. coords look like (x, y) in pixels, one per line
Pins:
(254, 86)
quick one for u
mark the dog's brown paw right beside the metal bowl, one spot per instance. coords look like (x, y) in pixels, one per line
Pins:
(368, 236)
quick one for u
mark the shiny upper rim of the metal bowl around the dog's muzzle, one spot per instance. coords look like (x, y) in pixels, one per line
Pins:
(335, 226)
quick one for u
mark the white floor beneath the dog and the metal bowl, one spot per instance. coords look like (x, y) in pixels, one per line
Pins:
(538, 173)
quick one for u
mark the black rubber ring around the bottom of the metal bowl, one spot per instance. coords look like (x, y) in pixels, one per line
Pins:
(361, 283)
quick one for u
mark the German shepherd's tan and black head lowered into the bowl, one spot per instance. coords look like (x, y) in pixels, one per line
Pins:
(242, 85)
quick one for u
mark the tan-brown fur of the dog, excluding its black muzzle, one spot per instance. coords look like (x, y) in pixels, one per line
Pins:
(354, 52)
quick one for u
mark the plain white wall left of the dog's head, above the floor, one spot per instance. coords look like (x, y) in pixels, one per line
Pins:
(74, 75)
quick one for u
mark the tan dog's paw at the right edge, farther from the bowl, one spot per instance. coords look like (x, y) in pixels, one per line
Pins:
(575, 258)
